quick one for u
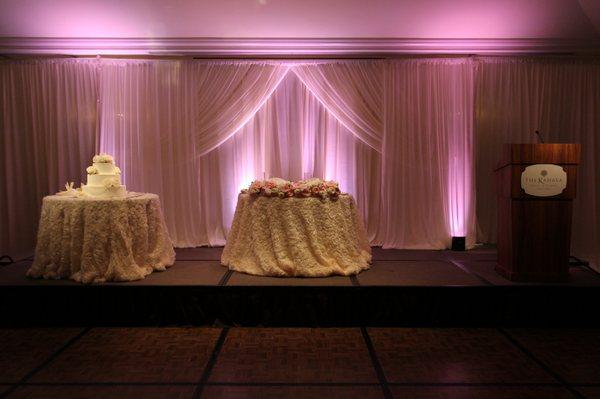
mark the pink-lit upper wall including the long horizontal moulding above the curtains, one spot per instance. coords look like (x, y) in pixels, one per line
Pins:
(233, 28)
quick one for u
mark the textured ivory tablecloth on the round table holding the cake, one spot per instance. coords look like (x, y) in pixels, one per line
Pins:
(97, 240)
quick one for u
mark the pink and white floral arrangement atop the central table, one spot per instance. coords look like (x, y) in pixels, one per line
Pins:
(281, 188)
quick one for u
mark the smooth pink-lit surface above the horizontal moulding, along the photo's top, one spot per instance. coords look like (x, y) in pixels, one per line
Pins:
(540, 21)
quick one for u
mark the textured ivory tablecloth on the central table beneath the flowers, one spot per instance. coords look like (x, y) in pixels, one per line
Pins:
(306, 237)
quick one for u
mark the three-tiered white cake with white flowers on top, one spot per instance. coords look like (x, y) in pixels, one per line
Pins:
(104, 178)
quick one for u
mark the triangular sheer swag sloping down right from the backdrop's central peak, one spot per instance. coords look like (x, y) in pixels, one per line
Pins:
(352, 92)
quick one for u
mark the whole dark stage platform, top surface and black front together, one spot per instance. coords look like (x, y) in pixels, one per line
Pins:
(403, 288)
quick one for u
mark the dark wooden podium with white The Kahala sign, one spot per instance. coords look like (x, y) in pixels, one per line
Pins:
(534, 229)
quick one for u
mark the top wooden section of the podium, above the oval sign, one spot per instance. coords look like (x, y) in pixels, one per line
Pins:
(555, 153)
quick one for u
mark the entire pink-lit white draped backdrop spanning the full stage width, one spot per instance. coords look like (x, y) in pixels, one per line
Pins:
(414, 140)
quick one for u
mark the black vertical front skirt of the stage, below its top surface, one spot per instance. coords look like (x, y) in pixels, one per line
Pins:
(516, 306)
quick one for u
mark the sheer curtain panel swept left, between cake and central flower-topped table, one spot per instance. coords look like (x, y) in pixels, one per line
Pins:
(159, 118)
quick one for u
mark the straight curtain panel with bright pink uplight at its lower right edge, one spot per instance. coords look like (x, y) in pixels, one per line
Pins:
(428, 193)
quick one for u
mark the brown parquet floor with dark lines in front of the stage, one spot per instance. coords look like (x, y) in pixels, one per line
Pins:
(299, 363)
